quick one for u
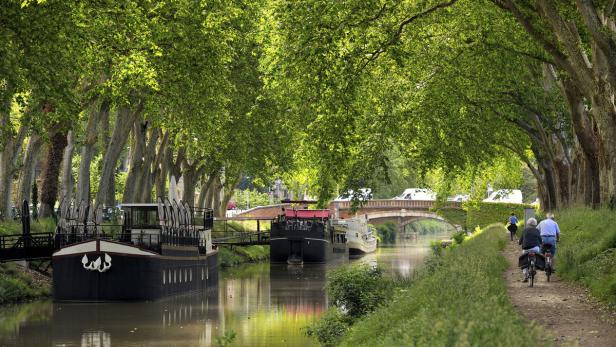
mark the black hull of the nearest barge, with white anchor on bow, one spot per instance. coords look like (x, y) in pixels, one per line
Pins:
(142, 276)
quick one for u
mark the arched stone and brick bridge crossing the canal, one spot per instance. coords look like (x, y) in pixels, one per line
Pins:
(401, 212)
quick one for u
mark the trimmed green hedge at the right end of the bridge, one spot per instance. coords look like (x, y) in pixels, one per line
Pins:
(485, 213)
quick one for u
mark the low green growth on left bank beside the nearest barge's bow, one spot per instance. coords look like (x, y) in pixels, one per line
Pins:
(17, 285)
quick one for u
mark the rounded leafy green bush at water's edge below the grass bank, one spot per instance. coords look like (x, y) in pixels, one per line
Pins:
(358, 289)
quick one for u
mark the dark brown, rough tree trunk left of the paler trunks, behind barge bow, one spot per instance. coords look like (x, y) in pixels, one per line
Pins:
(51, 173)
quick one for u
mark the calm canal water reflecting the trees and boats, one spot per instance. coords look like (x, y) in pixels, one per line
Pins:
(263, 304)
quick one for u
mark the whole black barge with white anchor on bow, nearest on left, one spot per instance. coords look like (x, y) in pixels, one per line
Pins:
(160, 251)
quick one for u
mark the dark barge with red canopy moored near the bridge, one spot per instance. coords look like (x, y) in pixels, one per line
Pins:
(305, 236)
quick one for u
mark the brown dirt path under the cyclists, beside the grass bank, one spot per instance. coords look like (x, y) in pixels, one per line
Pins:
(565, 311)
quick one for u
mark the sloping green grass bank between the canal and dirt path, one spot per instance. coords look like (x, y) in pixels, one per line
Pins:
(459, 298)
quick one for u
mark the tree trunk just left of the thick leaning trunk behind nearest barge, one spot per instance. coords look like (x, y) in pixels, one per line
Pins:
(88, 150)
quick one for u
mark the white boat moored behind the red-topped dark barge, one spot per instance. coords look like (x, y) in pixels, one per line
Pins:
(360, 239)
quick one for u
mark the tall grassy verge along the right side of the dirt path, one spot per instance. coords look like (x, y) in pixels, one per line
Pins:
(587, 251)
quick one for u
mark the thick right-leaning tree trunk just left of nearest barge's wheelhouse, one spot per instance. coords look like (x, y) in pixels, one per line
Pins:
(124, 121)
